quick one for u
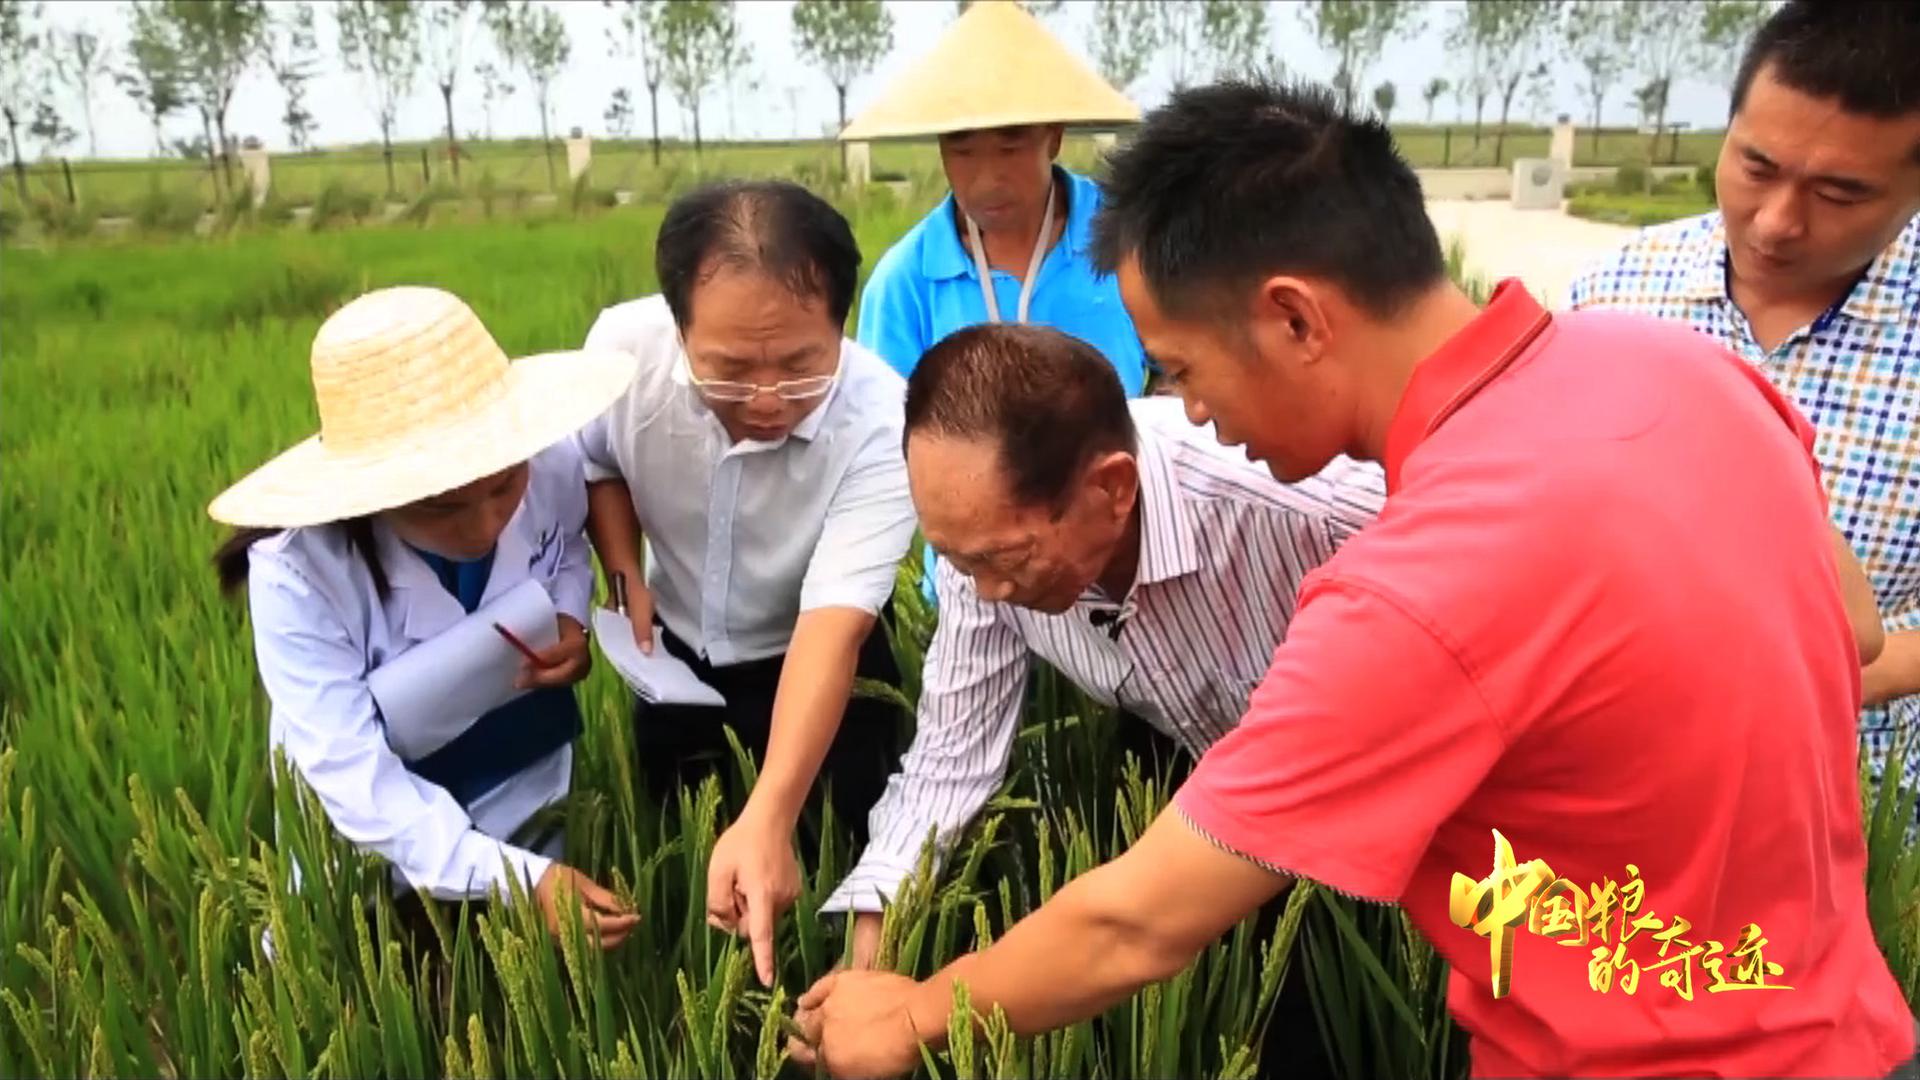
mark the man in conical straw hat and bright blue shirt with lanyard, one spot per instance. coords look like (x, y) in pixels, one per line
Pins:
(1011, 241)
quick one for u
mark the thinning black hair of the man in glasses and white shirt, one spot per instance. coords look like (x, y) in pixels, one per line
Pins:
(777, 228)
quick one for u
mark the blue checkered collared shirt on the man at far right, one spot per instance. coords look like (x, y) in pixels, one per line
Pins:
(1856, 374)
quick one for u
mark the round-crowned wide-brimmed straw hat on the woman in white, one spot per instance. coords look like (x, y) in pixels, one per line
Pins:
(418, 399)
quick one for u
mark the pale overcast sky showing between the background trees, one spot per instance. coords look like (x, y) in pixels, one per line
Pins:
(784, 97)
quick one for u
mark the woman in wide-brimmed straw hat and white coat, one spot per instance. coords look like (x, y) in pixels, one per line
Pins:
(441, 479)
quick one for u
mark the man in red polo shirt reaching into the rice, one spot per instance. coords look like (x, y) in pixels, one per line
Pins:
(1587, 691)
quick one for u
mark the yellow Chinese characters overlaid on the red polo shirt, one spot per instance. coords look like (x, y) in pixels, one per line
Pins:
(1560, 910)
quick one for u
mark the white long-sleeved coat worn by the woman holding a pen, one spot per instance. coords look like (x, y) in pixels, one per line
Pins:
(320, 629)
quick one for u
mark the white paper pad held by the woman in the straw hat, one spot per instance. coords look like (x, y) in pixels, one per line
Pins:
(443, 685)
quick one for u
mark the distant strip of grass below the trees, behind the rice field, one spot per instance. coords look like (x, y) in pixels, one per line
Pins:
(114, 189)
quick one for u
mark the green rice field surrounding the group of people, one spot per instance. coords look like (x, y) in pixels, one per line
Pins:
(139, 856)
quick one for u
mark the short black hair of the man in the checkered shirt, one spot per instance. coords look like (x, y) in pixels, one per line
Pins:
(1863, 55)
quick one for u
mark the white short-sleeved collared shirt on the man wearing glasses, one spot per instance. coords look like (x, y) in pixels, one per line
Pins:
(746, 537)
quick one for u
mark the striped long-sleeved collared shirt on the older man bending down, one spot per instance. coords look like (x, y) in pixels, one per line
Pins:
(1224, 549)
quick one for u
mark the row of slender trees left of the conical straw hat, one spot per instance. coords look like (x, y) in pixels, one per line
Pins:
(189, 57)
